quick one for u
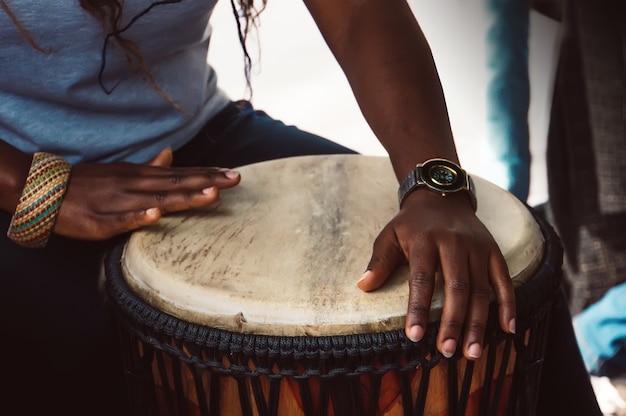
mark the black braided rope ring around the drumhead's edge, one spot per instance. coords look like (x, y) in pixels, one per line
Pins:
(158, 328)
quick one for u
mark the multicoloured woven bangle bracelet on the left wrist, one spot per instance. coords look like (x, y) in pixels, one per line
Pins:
(41, 199)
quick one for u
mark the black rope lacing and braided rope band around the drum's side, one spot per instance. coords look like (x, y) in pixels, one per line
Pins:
(331, 358)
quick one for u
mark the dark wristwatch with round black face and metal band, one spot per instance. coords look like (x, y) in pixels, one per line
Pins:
(439, 175)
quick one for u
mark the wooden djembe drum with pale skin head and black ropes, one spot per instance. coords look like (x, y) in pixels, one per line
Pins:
(250, 306)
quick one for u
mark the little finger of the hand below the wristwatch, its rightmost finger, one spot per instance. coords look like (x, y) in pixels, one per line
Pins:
(500, 280)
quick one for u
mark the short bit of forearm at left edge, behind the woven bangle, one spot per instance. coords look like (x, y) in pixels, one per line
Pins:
(14, 167)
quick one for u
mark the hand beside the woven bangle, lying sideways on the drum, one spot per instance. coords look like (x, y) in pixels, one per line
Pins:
(105, 200)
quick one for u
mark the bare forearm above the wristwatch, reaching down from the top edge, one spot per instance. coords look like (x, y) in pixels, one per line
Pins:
(390, 68)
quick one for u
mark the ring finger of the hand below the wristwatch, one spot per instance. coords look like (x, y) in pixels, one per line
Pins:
(478, 310)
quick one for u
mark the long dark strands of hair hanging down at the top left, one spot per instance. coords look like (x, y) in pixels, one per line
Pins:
(109, 13)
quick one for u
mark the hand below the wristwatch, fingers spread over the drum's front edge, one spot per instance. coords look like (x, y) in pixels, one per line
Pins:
(434, 234)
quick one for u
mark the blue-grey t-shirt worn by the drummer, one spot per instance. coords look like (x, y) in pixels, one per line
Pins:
(53, 102)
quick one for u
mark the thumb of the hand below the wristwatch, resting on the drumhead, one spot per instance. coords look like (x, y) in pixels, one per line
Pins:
(386, 256)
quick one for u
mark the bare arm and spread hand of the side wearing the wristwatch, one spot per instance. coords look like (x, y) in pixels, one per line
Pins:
(390, 68)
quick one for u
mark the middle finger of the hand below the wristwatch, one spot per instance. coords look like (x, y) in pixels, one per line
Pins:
(454, 268)
